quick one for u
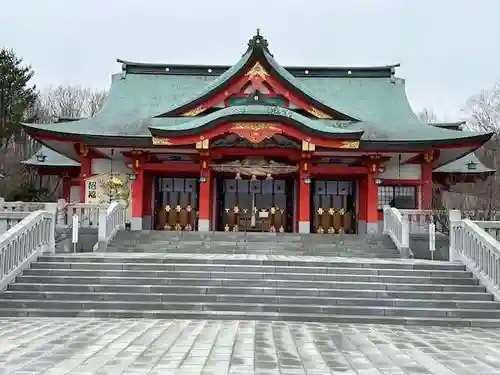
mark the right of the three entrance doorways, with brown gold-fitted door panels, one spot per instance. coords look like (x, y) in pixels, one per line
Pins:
(333, 207)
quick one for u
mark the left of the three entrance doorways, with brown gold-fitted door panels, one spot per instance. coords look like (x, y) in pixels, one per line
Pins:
(176, 203)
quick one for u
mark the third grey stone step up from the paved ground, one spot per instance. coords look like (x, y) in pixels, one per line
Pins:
(249, 298)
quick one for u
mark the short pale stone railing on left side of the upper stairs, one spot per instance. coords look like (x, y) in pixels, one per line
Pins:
(111, 219)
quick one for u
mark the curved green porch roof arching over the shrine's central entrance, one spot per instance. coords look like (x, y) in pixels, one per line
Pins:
(240, 111)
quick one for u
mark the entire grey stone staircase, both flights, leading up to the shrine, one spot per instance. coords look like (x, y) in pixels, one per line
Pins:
(269, 279)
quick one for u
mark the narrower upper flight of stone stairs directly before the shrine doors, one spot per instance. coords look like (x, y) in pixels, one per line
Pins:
(253, 243)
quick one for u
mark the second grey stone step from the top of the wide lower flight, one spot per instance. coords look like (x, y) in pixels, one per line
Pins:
(181, 267)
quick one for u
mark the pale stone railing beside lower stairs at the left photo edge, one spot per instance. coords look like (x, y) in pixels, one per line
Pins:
(24, 242)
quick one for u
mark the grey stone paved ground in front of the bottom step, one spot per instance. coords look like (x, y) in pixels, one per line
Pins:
(108, 346)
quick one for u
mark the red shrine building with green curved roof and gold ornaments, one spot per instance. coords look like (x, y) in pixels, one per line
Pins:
(257, 146)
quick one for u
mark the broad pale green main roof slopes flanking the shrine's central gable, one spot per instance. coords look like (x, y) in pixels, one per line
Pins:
(136, 99)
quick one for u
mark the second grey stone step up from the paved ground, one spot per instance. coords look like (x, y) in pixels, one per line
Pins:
(253, 307)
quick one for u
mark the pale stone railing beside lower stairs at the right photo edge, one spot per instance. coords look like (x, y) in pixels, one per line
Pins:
(478, 250)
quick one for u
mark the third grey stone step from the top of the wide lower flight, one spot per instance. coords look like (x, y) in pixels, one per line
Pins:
(271, 276)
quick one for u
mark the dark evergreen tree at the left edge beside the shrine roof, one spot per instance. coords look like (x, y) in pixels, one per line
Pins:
(16, 95)
